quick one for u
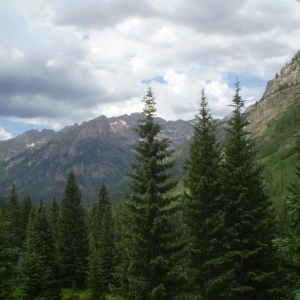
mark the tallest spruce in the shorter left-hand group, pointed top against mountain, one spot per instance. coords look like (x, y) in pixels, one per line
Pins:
(73, 239)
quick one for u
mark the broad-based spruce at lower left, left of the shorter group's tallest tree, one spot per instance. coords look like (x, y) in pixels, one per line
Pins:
(37, 265)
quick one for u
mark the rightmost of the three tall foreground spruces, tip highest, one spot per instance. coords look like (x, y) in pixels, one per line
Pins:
(248, 262)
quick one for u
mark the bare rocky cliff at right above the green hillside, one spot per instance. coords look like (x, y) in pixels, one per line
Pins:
(280, 92)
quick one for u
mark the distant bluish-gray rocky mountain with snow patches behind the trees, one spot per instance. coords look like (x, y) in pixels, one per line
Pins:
(98, 151)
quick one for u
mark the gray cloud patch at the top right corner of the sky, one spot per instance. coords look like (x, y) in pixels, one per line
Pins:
(235, 17)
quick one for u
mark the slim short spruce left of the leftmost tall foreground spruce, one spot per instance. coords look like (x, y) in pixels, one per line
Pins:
(102, 234)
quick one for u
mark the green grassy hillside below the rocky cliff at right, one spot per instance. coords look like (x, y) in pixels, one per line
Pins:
(277, 154)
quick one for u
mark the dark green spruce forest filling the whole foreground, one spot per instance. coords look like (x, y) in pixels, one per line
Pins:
(220, 238)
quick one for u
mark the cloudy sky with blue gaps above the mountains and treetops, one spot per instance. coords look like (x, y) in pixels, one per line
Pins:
(69, 61)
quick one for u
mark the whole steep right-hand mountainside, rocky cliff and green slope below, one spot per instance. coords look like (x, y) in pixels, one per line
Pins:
(275, 120)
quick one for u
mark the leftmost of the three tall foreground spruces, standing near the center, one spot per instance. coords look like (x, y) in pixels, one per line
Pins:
(149, 240)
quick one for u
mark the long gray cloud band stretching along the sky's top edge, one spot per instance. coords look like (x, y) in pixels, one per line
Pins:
(223, 17)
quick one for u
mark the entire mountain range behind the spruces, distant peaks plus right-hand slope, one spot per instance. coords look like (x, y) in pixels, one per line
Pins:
(99, 150)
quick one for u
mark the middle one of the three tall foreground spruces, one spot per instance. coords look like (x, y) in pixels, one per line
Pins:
(203, 214)
